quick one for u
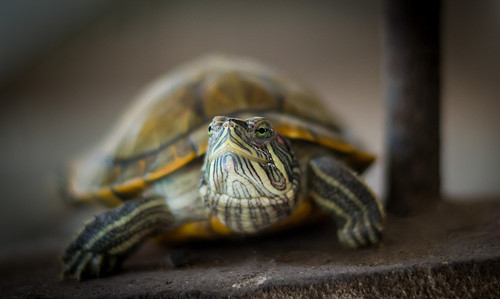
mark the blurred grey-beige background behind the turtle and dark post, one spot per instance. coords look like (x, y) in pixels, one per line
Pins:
(68, 69)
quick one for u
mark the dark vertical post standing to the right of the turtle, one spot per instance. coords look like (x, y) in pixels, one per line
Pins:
(412, 82)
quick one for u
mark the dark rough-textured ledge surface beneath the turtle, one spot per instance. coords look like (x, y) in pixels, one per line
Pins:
(451, 251)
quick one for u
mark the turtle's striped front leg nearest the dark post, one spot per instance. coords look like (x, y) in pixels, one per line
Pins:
(337, 189)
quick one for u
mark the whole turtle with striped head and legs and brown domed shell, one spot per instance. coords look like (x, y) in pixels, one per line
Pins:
(220, 146)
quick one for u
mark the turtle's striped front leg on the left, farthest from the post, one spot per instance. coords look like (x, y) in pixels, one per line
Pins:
(111, 237)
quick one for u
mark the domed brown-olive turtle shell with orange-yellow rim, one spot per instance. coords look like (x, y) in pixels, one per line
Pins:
(167, 125)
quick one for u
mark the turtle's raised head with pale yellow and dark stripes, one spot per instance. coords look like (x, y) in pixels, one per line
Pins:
(250, 178)
